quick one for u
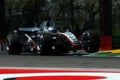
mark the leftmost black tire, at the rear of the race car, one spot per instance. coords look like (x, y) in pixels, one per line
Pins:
(13, 46)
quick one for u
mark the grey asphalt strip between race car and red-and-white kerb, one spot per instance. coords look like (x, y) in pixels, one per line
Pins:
(59, 61)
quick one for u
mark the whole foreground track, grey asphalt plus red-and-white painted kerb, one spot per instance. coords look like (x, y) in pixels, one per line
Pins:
(58, 67)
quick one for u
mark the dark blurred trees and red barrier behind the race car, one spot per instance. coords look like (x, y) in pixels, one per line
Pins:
(76, 15)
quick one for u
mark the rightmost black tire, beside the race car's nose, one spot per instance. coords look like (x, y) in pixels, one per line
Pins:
(90, 41)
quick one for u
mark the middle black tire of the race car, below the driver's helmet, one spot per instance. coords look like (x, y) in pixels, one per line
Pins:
(46, 44)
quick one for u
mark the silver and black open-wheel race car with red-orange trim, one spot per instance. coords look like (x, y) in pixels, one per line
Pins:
(46, 40)
